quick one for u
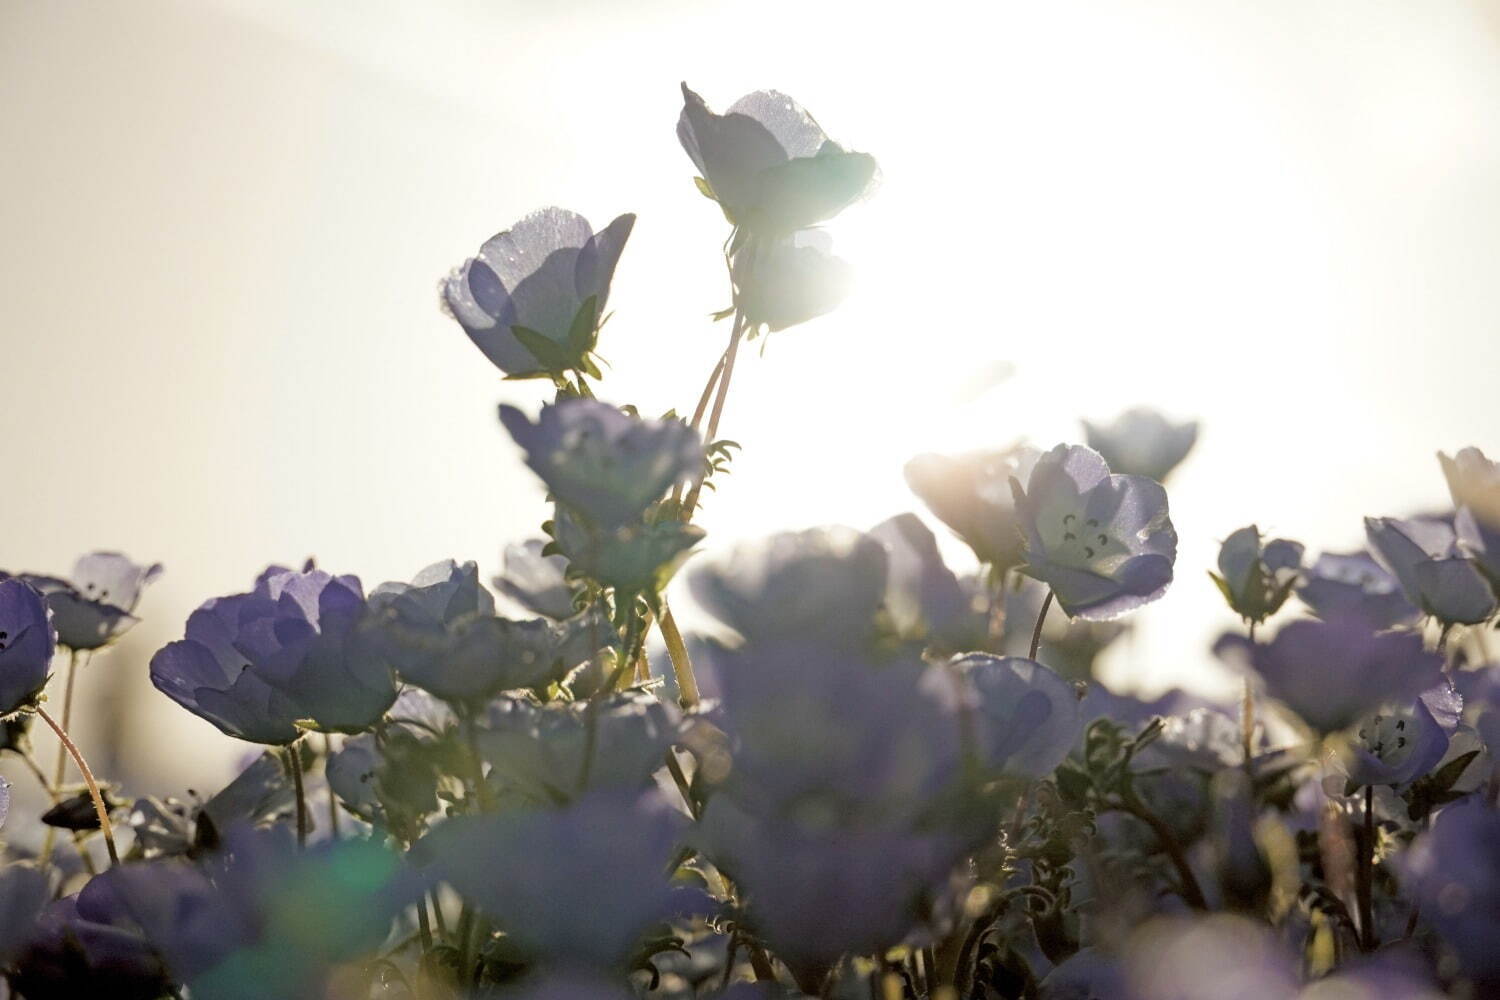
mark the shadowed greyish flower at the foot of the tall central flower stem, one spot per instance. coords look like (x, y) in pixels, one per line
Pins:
(547, 753)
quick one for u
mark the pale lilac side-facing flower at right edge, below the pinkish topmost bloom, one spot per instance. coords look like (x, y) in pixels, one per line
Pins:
(1426, 558)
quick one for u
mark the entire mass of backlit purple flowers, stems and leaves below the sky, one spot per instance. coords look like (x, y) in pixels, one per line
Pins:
(878, 777)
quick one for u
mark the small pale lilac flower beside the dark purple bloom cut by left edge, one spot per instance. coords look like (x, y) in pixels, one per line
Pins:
(94, 606)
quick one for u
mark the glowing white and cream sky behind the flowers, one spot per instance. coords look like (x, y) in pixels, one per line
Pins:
(226, 224)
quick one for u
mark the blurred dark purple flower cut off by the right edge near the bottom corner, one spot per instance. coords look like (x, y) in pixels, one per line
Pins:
(1454, 873)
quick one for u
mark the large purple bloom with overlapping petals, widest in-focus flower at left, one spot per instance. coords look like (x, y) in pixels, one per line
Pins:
(295, 651)
